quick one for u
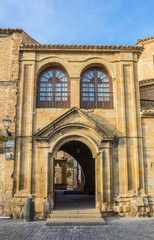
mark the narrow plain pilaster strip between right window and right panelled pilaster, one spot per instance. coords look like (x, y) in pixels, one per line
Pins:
(121, 124)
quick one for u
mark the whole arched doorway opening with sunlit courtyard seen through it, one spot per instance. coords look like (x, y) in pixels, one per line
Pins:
(74, 177)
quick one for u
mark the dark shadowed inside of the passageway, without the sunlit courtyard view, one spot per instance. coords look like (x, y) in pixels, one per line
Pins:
(65, 200)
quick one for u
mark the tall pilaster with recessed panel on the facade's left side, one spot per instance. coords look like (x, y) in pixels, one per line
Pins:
(23, 161)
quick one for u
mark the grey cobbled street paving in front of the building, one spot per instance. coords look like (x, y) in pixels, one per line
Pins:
(117, 228)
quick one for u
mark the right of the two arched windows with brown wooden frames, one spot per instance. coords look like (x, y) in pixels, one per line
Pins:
(96, 89)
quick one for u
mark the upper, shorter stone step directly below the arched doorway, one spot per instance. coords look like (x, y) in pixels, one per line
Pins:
(75, 215)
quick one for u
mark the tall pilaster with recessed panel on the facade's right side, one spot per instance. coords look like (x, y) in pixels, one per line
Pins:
(131, 126)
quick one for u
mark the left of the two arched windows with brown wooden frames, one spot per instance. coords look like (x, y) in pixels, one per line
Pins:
(53, 89)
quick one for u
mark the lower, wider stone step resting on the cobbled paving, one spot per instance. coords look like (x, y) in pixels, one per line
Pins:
(74, 222)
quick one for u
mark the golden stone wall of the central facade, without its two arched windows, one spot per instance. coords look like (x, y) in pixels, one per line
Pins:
(122, 176)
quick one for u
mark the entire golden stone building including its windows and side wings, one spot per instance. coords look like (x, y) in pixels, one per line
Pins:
(83, 100)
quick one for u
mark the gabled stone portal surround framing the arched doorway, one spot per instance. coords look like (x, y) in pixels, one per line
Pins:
(76, 126)
